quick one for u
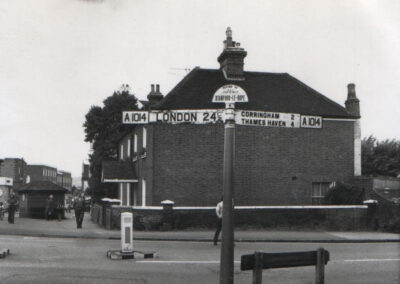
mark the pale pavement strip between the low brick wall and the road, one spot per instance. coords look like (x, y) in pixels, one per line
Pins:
(67, 229)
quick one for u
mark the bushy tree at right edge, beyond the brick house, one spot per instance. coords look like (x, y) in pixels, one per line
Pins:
(380, 158)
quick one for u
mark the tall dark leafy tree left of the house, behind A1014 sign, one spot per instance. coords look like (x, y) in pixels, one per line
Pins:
(103, 129)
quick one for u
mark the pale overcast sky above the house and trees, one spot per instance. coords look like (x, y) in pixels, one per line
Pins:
(59, 57)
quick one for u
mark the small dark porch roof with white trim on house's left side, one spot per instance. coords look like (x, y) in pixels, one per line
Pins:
(118, 171)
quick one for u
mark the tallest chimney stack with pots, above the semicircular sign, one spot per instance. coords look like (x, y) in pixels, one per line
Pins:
(232, 58)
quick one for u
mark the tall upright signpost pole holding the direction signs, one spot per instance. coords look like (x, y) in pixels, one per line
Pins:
(226, 269)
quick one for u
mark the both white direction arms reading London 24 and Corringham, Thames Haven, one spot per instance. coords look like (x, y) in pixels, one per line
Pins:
(242, 117)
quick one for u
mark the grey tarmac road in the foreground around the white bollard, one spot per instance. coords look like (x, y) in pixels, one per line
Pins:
(61, 260)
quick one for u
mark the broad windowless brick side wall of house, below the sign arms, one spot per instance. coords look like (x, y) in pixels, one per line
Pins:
(274, 166)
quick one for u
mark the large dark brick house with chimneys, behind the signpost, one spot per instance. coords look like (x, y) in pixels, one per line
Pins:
(275, 163)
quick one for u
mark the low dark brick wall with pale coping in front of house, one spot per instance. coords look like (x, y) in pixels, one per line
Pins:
(293, 217)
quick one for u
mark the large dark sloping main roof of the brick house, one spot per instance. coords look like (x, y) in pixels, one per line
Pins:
(271, 92)
